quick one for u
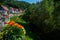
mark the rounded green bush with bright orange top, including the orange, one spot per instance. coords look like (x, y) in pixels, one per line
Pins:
(13, 31)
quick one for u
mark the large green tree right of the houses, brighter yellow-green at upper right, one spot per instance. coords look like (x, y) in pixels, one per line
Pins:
(41, 16)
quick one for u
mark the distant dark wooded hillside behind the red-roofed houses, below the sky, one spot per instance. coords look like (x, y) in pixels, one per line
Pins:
(17, 4)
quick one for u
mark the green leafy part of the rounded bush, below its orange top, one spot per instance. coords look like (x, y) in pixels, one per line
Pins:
(12, 33)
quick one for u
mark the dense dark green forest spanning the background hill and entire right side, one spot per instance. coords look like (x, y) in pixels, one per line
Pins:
(42, 17)
